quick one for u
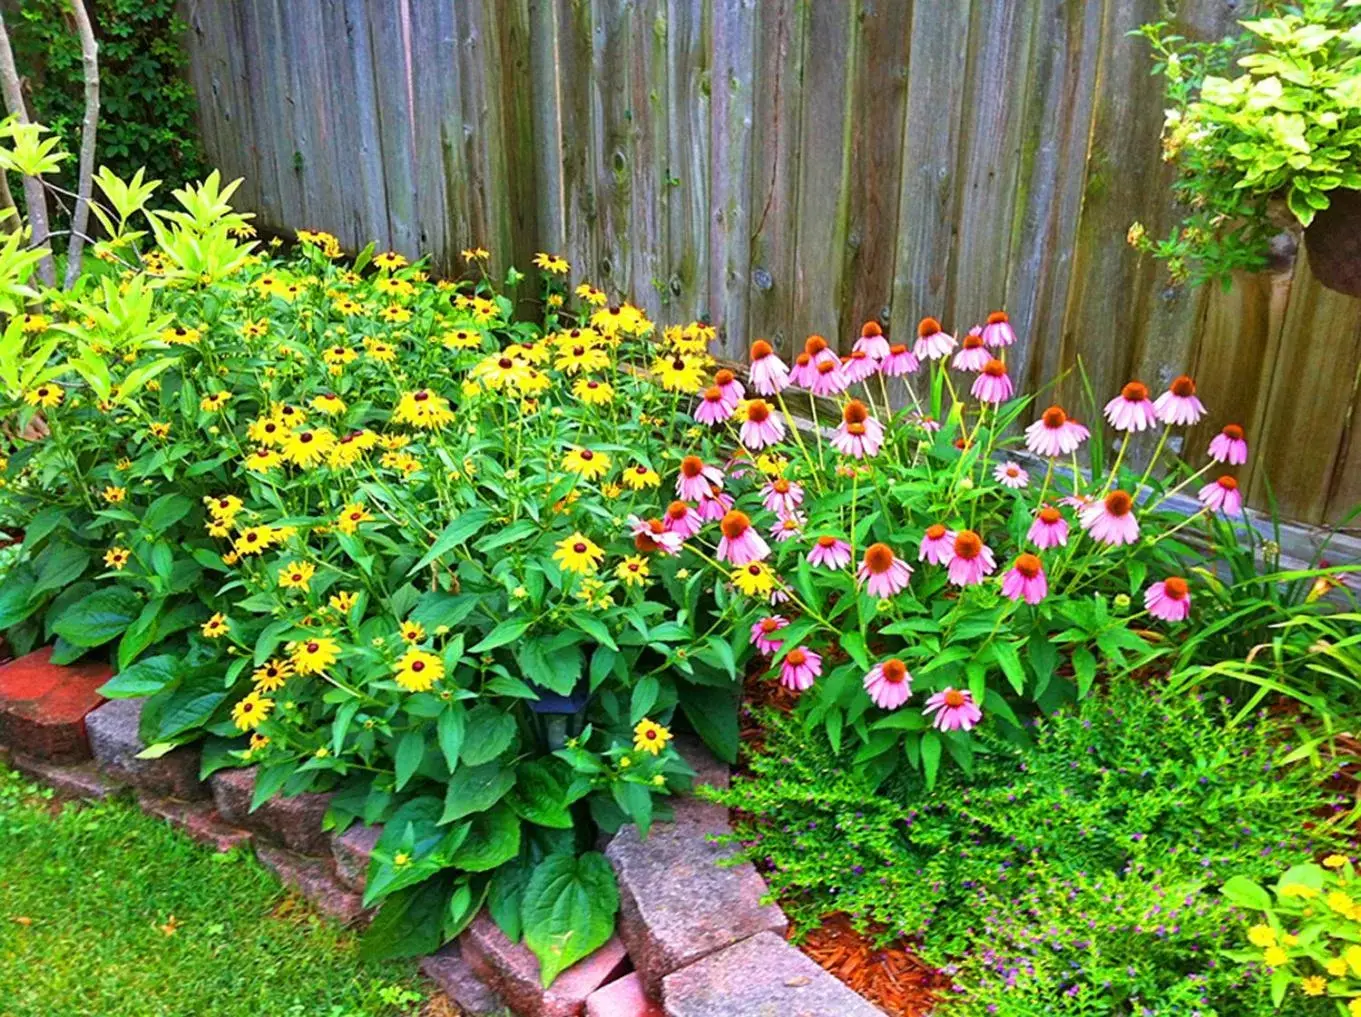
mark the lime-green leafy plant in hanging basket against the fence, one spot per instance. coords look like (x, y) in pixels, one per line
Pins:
(1257, 122)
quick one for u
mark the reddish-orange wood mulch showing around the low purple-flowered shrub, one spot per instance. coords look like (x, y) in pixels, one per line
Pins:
(893, 977)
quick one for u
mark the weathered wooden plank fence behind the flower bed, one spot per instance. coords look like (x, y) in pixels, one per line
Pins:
(791, 167)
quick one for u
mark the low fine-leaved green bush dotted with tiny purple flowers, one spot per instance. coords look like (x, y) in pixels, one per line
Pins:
(1076, 873)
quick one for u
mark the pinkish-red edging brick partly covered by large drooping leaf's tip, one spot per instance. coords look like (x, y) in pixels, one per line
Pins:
(514, 973)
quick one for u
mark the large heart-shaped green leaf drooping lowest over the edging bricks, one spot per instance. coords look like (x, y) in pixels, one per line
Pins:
(568, 913)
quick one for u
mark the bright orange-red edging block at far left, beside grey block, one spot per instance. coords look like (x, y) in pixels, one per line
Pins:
(44, 706)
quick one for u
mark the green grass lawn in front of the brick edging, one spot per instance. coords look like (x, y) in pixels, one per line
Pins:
(108, 913)
